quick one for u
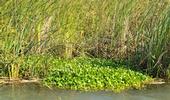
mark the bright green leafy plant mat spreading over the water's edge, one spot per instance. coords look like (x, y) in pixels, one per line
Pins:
(93, 74)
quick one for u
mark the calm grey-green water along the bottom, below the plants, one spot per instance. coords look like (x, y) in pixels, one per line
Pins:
(37, 92)
